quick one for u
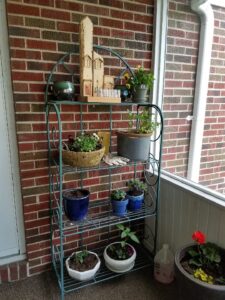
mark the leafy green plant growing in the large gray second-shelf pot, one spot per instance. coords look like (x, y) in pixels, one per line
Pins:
(144, 120)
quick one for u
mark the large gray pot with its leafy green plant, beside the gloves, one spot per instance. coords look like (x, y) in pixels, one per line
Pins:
(134, 143)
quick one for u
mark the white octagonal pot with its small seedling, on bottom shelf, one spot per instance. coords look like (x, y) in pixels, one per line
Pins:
(83, 265)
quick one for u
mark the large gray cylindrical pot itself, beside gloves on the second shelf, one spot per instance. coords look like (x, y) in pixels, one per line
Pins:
(133, 145)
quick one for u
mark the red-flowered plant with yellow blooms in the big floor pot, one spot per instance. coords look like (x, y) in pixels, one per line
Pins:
(205, 260)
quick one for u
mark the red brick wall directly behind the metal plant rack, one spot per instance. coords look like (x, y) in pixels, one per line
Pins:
(40, 32)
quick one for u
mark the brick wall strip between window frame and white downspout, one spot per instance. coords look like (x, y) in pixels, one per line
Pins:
(181, 57)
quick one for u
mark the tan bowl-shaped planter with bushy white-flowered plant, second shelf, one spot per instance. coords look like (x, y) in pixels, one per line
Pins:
(86, 150)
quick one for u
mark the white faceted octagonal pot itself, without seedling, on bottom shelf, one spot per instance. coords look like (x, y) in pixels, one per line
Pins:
(85, 275)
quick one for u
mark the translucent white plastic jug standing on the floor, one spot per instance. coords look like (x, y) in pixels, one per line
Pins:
(164, 265)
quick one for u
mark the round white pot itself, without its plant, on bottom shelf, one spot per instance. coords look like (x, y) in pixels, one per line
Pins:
(119, 266)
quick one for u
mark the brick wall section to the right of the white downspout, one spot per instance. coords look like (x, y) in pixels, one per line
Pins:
(212, 172)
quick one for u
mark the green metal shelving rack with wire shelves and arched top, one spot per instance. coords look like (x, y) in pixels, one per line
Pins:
(100, 215)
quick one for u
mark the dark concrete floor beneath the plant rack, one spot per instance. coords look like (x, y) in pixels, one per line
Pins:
(138, 285)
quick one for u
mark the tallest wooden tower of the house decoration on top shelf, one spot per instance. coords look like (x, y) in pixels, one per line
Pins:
(86, 48)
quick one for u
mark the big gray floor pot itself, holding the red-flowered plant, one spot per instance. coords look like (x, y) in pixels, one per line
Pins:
(191, 288)
